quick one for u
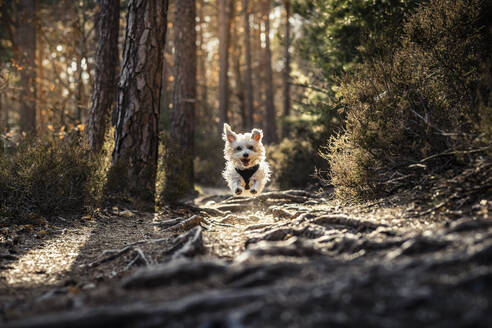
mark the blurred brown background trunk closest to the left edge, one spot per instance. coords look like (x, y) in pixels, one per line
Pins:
(26, 43)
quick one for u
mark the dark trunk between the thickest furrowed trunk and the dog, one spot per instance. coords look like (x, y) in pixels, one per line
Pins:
(180, 148)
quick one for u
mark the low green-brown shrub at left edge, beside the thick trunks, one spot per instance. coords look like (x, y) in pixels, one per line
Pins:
(47, 178)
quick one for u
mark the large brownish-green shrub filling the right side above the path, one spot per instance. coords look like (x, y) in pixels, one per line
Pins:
(429, 97)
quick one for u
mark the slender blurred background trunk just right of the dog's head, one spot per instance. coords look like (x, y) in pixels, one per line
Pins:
(271, 125)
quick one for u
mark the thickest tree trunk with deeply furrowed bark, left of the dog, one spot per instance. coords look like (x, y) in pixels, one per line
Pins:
(136, 135)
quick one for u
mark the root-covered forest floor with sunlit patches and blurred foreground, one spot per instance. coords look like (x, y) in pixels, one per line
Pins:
(291, 258)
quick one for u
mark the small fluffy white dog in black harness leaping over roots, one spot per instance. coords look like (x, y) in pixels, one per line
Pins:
(246, 170)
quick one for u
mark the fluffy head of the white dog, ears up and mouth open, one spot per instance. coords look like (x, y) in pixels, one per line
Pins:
(243, 150)
